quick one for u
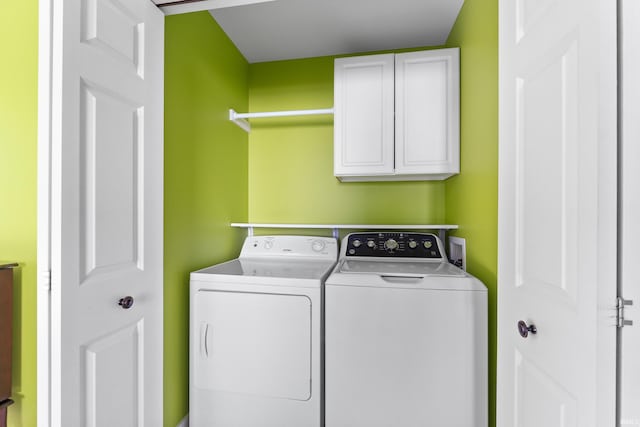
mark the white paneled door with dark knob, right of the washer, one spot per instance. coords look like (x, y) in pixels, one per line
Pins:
(557, 213)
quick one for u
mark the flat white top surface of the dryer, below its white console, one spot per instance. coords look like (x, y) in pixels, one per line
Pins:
(273, 268)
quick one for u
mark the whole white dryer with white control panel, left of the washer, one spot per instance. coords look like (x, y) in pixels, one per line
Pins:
(255, 341)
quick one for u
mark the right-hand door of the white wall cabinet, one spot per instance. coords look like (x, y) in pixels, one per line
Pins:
(427, 113)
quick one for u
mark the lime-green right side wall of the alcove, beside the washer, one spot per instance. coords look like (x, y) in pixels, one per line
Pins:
(472, 196)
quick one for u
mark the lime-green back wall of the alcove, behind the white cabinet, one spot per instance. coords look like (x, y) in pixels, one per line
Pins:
(291, 159)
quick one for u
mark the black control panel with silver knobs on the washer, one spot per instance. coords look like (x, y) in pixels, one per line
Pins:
(393, 244)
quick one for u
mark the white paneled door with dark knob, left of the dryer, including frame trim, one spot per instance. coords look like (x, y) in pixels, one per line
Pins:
(105, 153)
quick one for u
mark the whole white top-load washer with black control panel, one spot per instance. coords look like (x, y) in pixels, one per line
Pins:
(405, 336)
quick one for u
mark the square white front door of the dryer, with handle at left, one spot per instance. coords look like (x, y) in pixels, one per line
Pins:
(253, 343)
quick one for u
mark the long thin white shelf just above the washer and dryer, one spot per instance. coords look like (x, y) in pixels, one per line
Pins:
(442, 228)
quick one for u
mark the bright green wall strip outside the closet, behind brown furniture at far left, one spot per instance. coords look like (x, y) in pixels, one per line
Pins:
(18, 167)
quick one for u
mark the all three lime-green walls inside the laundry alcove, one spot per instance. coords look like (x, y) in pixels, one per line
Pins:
(282, 172)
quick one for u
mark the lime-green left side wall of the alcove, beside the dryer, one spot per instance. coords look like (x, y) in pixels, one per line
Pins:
(205, 176)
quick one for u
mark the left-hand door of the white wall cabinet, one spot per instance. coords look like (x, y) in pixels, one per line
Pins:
(363, 120)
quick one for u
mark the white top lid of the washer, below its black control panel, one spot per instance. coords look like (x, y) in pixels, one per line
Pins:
(403, 269)
